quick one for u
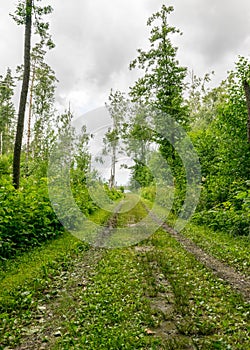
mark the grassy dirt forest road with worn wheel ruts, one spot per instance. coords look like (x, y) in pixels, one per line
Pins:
(162, 293)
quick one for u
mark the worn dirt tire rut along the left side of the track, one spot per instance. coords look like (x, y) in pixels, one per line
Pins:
(46, 324)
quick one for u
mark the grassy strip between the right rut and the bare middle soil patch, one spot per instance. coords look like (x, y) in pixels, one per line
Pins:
(206, 307)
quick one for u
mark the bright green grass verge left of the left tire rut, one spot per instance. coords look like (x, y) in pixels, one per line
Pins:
(24, 279)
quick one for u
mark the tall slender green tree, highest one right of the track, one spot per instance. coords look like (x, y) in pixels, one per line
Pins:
(162, 84)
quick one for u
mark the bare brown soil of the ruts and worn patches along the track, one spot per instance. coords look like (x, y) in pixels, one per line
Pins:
(45, 327)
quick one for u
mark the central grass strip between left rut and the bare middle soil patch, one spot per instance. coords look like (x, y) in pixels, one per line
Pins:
(114, 312)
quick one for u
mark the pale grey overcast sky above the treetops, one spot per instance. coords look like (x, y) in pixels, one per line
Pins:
(96, 40)
